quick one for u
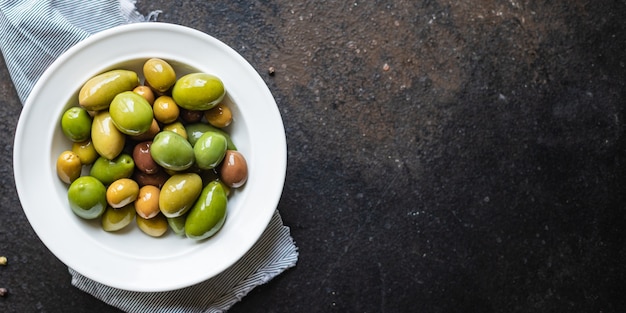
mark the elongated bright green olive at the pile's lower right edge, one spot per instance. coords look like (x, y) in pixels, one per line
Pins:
(208, 214)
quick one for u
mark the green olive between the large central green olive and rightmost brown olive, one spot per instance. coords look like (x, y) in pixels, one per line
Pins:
(209, 150)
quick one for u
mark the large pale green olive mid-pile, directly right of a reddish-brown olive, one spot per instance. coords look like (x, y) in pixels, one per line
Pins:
(171, 151)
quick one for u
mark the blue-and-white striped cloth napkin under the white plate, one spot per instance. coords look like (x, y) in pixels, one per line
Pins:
(33, 33)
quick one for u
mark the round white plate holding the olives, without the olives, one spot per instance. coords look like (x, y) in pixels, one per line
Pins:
(131, 260)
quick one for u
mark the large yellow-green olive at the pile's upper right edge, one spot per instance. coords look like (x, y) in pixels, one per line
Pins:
(198, 91)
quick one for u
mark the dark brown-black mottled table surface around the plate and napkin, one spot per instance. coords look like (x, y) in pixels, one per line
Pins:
(444, 156)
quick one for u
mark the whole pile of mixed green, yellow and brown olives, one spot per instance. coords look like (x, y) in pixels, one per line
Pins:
(156, 153)
